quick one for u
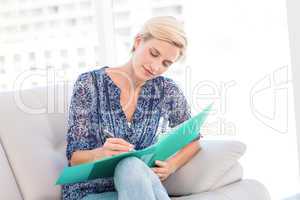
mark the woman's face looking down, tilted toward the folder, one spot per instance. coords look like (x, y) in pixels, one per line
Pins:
(152, 58)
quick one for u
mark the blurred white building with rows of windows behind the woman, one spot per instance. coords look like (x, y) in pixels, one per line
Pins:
(65, 36)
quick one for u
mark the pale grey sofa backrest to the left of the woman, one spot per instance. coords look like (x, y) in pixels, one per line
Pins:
(32, 130)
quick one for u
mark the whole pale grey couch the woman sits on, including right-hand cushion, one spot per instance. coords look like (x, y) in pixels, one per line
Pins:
(32, 154)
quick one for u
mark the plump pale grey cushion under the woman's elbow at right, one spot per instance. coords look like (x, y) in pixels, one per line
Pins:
(206, 169)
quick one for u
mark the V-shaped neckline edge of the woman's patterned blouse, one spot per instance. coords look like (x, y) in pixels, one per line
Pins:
(139, 99)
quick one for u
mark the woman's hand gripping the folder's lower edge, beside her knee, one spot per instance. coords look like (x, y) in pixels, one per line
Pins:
(163, 169)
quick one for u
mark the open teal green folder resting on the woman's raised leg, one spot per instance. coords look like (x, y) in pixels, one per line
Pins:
(167, 146)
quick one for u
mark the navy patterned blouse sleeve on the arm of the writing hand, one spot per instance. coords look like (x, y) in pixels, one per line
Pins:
(79, 134)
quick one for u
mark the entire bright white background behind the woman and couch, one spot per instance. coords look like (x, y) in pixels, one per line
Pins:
(238, 57)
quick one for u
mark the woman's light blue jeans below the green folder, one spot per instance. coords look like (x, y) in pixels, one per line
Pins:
(133, 180)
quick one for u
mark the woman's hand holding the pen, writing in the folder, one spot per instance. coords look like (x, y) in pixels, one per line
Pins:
(112, 146)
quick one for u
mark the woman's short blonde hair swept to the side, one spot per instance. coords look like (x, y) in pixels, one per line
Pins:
(165, 28)
